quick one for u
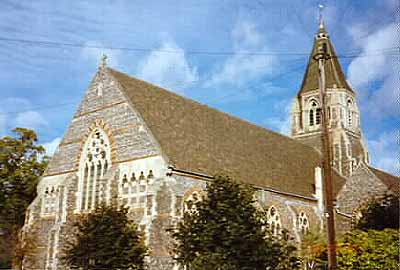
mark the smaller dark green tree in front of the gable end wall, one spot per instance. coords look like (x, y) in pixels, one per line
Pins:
(106, 239)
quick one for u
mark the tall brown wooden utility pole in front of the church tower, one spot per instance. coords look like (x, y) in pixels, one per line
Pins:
(321, 56)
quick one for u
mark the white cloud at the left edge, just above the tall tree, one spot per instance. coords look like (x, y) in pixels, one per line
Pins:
(14, 112)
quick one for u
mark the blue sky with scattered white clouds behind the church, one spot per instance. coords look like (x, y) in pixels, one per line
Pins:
(246, 58)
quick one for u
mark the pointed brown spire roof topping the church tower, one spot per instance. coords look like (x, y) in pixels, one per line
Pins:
(333, 70)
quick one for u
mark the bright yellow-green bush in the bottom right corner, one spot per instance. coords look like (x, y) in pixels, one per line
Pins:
(369, 250)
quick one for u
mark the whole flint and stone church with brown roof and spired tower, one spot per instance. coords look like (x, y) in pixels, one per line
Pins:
(151, 150)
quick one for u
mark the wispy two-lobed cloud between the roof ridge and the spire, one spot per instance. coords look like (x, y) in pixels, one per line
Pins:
(243, 66)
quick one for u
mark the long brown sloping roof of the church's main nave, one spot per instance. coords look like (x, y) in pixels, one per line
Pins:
(201, 139)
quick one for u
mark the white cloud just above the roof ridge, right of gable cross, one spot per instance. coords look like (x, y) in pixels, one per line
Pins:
(168, 67)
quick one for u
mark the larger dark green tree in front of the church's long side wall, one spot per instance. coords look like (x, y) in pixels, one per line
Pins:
(224, 230)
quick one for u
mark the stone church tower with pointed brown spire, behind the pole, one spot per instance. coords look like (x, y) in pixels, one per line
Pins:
(346, 138)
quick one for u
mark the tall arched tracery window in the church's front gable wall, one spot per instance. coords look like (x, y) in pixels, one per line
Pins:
(94, 164)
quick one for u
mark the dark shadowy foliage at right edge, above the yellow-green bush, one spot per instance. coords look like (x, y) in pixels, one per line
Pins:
(380, 214)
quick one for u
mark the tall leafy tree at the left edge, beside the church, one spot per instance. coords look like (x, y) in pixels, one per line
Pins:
(21, 164)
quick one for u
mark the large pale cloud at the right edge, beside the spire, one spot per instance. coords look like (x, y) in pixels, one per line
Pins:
(374, 66)
